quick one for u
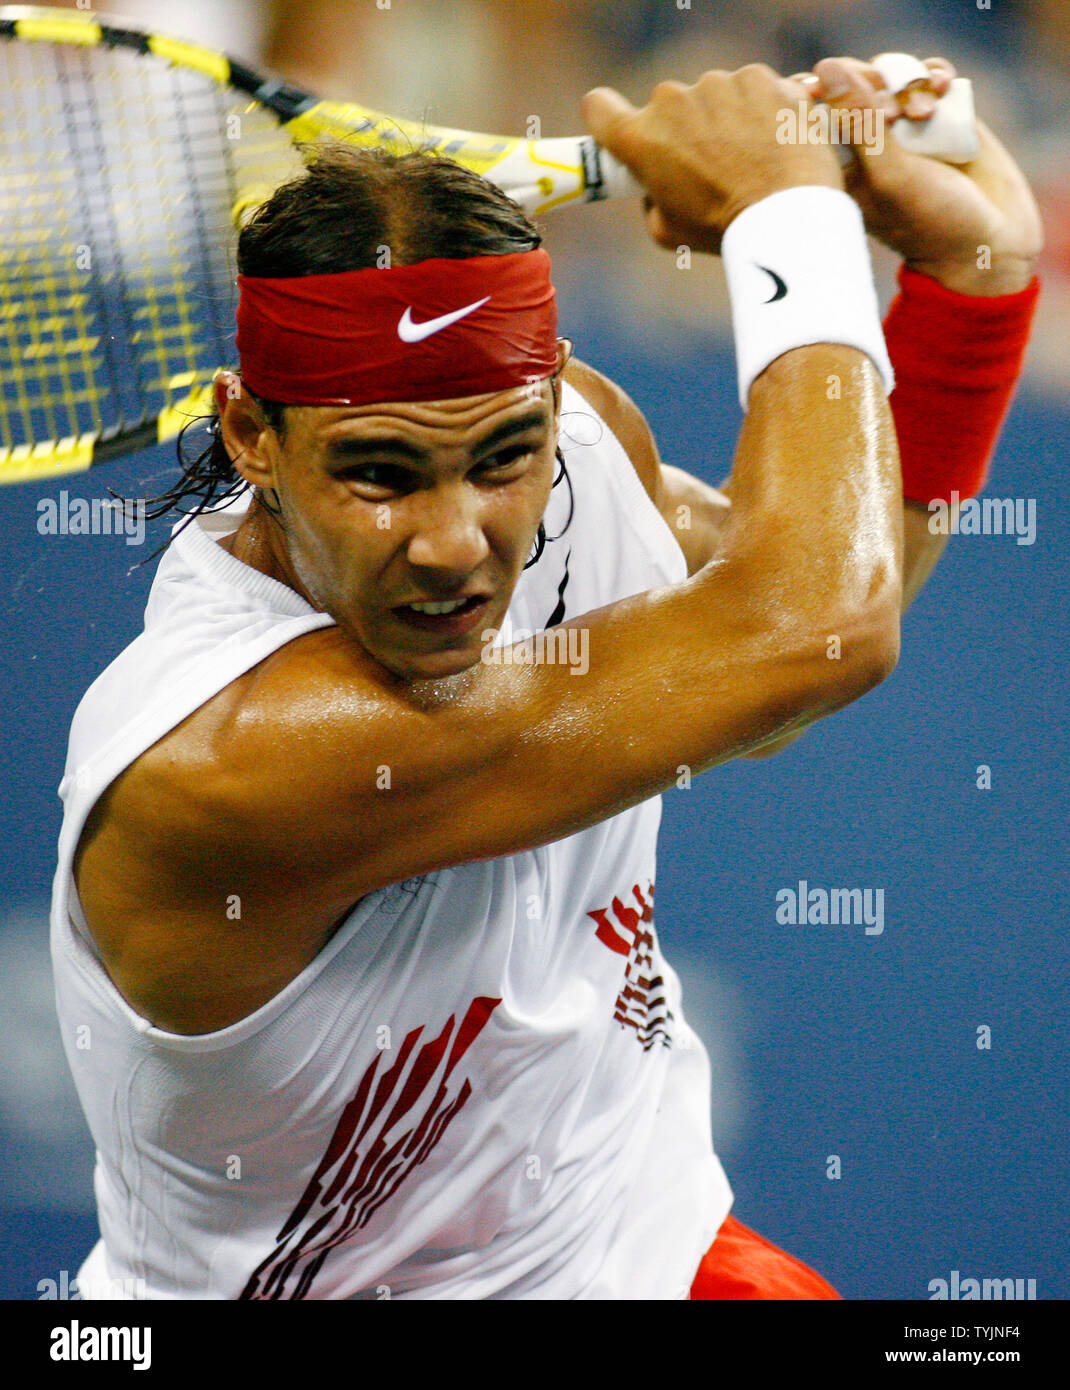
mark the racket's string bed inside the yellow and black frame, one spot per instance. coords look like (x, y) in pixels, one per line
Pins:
(117, 188)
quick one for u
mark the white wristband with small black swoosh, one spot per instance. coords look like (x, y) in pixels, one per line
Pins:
(800, 273)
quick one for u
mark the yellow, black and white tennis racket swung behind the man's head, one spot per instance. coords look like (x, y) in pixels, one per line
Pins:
(127, 163)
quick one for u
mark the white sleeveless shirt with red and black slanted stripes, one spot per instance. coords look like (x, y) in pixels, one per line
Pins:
(481, 1088)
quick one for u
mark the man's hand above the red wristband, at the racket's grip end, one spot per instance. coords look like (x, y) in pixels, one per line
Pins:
(939, 218)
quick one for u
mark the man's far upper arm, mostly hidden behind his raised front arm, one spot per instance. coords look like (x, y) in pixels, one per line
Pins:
(691, 509)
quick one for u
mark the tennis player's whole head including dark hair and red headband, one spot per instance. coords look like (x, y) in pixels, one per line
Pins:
(380, 504)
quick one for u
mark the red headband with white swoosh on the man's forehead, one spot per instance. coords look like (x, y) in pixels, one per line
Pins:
(433, 332)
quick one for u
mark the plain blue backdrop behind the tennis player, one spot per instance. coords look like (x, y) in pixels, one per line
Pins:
(823, 1040)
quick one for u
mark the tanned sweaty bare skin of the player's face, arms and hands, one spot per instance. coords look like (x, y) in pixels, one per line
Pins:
(270, 789)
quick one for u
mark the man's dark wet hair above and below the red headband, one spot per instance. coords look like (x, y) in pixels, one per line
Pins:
(338, 216)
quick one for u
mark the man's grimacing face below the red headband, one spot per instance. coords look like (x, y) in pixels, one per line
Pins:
(391, 508)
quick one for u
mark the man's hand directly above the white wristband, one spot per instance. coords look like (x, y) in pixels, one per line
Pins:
(707, 152)
